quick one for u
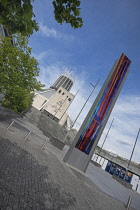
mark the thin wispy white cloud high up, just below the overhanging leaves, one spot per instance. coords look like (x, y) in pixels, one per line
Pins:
(51, 32)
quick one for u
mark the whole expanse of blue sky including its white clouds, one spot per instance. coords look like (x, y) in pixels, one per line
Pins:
(110, 28)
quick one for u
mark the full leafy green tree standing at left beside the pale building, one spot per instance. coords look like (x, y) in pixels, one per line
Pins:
(18, 72)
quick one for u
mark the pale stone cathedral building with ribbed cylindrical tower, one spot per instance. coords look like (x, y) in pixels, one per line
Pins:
(56, 100)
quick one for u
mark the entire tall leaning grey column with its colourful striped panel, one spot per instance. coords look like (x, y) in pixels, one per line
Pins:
(84, 144)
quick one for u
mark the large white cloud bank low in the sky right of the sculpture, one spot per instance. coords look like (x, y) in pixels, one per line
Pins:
(126, 114)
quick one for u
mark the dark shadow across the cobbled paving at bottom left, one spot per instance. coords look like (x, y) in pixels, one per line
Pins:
(25, 184)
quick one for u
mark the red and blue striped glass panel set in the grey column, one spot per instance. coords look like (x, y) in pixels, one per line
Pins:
(98, 116)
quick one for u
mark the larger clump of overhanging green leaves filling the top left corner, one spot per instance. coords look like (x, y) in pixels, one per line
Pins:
(17, 16)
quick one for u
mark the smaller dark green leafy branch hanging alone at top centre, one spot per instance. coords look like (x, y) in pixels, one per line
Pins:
(68, 11)
